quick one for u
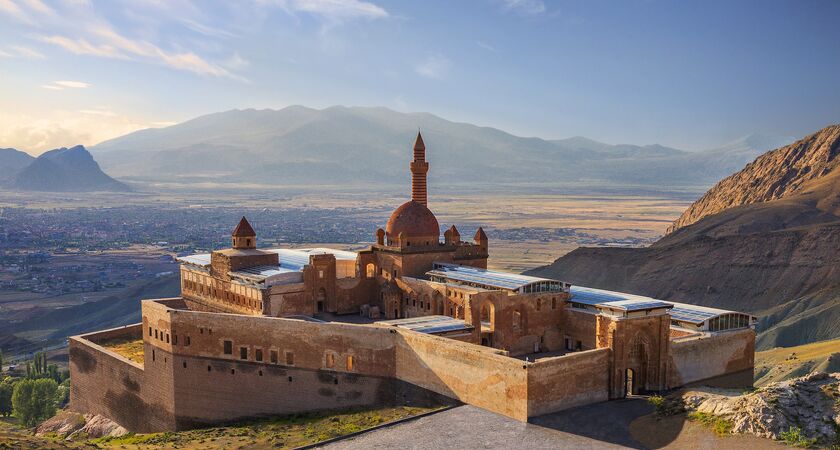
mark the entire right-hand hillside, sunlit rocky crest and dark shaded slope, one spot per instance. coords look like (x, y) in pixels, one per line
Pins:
(764, 240)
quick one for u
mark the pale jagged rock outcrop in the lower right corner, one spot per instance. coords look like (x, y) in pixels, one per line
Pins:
(810, 404)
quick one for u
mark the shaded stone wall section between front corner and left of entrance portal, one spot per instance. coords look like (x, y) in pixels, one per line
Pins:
(567, 381)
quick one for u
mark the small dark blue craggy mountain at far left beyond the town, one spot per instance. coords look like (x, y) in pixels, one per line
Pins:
(65, 170)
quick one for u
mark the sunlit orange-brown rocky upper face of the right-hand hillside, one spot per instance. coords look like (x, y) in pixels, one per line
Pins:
(774, 175)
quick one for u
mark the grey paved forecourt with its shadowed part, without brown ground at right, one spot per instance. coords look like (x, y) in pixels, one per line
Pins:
(604, 425)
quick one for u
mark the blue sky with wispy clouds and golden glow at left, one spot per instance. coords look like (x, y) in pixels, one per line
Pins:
(686, 74)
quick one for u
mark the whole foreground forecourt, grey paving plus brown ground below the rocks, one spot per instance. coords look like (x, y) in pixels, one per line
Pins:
(600, 426)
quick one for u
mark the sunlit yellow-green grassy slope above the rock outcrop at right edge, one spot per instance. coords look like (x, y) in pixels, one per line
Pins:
(790, 362)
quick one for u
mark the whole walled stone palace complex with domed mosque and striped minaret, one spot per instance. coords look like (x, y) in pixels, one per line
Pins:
(411, 319)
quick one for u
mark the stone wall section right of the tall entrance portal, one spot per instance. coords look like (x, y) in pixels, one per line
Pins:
(724, 359)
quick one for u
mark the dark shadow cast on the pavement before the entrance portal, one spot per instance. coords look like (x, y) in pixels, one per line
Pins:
(610, 422)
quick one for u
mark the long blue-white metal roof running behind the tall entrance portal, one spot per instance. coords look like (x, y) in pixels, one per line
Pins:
(682, 312)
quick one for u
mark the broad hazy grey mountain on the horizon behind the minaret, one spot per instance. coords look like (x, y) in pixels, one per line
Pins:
(341, 145)
